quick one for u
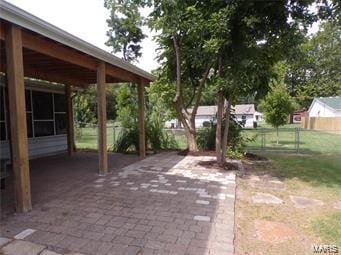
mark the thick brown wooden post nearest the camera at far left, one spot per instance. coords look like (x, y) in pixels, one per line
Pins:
(17, 114)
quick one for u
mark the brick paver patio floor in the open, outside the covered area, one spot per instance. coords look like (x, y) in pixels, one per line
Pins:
(165, 204)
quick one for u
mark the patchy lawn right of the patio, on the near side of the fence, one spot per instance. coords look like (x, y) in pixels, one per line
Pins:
(316, 176)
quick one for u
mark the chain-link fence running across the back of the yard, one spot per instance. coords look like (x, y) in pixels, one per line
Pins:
(296, 140)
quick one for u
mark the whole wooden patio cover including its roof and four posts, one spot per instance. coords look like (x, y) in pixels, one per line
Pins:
(31, 47)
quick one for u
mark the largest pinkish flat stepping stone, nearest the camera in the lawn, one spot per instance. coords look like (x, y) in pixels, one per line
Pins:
(273, 232)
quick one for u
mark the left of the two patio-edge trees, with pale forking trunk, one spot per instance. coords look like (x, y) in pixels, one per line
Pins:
(186, 63)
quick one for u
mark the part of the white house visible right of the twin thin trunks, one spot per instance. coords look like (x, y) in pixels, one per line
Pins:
(246, 114)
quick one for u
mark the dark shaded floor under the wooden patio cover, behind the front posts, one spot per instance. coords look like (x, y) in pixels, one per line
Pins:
(54, 176)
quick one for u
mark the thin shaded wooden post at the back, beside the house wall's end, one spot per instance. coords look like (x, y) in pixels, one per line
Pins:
(69, 116)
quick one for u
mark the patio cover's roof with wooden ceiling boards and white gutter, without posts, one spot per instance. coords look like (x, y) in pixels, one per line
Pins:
(52, 54)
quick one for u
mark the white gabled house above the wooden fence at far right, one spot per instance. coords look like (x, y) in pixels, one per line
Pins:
(325, 107)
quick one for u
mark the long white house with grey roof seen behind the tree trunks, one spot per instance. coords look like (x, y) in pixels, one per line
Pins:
(244, 113)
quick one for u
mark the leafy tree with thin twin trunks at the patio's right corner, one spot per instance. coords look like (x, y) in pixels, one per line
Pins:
(250, 37)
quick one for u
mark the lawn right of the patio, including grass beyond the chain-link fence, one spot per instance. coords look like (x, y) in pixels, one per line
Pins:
(314, 172)
